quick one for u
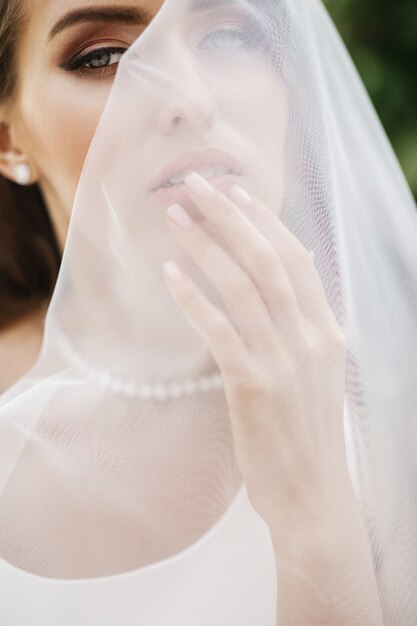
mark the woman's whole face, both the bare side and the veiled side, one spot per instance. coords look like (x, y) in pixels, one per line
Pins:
(68, 57)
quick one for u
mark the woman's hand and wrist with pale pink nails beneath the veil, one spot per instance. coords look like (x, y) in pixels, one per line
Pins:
(280, 351)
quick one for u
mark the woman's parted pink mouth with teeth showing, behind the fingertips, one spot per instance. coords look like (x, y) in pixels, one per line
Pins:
(219, 167)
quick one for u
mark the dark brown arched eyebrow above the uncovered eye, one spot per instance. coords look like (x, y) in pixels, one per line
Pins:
(116, 14)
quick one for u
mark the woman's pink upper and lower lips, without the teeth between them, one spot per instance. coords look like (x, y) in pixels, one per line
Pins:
(195, 160)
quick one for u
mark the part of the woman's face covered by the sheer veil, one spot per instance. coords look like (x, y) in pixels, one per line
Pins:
(198, 91)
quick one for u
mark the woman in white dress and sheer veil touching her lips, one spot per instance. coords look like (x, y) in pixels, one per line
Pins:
(111, 465)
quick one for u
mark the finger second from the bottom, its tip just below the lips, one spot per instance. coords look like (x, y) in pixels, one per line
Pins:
(239, 294)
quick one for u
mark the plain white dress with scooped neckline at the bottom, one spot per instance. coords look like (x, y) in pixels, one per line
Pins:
(231, 570)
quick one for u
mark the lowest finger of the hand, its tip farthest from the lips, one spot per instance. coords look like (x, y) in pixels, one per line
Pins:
(226, 347)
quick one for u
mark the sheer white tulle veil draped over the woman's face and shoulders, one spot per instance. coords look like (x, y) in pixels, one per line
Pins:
(116, 450)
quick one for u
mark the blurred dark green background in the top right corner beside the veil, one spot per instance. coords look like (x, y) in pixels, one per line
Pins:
(382, 39)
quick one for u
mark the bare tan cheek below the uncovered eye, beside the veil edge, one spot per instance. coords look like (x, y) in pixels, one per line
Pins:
(60, 119)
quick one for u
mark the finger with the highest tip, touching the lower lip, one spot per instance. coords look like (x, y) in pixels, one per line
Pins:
(254, 252)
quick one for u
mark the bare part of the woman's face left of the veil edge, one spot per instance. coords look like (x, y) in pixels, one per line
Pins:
(67, 59)
